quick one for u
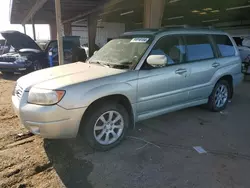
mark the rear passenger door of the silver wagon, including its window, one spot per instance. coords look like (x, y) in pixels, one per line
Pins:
(202, 62)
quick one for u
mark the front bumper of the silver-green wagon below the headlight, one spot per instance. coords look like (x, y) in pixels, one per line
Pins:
(52, 122)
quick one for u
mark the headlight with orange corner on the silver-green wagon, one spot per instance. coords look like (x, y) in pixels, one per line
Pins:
(44, 96)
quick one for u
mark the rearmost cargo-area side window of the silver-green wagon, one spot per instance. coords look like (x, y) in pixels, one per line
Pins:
(224, 45)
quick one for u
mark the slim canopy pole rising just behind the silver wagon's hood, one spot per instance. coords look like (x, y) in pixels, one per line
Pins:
(59, 32)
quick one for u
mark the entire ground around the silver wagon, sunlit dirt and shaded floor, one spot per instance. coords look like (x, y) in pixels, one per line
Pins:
(159, 153)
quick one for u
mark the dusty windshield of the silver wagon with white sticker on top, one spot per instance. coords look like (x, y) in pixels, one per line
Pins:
(122, 53)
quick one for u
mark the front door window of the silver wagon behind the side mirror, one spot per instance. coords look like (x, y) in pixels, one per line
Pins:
(171, 47)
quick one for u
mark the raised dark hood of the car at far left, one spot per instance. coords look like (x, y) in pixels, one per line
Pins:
(19, 40)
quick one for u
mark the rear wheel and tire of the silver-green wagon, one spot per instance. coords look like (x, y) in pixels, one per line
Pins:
(218, 99)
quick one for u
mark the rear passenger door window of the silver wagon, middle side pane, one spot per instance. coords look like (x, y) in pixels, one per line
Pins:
(198, 48)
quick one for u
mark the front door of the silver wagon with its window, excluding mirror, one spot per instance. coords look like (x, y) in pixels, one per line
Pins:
(161, 88)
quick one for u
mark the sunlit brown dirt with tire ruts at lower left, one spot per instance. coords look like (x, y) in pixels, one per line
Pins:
(23, 161)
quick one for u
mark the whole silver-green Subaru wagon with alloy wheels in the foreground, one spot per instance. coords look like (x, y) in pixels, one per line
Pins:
(140, 75)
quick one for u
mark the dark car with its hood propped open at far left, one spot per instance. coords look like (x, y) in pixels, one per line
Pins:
(26, 57)
